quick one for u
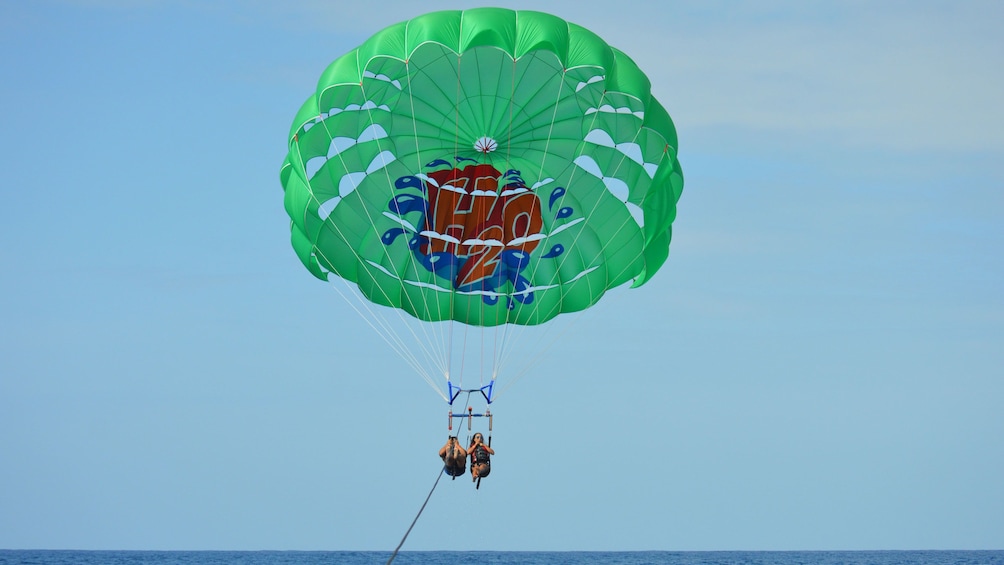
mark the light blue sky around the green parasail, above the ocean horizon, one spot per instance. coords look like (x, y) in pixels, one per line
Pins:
(819, 366)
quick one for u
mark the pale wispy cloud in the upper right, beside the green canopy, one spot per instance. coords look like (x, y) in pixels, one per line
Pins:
(876, 75)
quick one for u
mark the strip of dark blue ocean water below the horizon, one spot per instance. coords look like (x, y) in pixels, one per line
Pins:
(49, 557)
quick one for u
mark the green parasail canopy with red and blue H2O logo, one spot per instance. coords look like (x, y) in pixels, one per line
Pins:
(488, 166)
